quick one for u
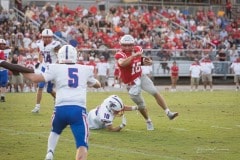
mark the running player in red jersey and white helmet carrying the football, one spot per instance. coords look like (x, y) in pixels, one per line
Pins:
(129, 59)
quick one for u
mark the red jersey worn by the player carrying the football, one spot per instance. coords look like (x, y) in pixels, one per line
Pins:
(129, 73)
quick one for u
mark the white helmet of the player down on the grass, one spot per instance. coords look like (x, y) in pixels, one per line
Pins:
(115, 104)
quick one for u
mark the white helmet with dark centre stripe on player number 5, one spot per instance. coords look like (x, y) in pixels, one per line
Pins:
(67, 54)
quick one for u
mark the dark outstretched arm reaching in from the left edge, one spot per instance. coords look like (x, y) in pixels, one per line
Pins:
(15, 67)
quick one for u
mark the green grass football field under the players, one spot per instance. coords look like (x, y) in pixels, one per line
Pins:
(208, 128)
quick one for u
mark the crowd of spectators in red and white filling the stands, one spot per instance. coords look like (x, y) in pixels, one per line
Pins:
(152, 27)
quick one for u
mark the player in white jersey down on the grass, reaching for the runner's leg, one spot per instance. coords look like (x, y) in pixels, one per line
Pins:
(103, 115)
